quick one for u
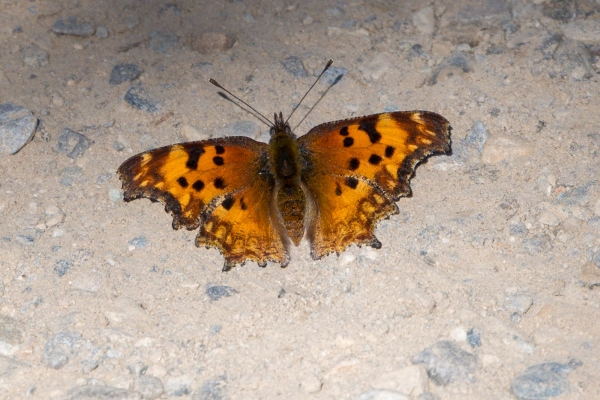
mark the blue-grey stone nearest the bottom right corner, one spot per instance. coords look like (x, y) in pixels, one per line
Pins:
(541, 381)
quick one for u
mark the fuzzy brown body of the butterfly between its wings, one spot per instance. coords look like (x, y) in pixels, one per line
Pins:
(284, 157)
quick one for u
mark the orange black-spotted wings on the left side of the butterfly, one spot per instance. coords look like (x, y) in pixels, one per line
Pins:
(222, 185)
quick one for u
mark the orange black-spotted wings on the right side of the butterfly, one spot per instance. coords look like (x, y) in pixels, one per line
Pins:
(357, 169)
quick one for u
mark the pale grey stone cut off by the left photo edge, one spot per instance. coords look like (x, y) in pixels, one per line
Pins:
(17, 127)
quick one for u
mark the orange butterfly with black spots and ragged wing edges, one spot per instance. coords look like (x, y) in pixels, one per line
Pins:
(250, 199)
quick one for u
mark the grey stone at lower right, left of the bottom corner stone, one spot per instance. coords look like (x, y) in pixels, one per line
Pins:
(446, 362)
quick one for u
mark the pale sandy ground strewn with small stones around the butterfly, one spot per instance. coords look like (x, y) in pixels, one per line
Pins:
(492, 266)
